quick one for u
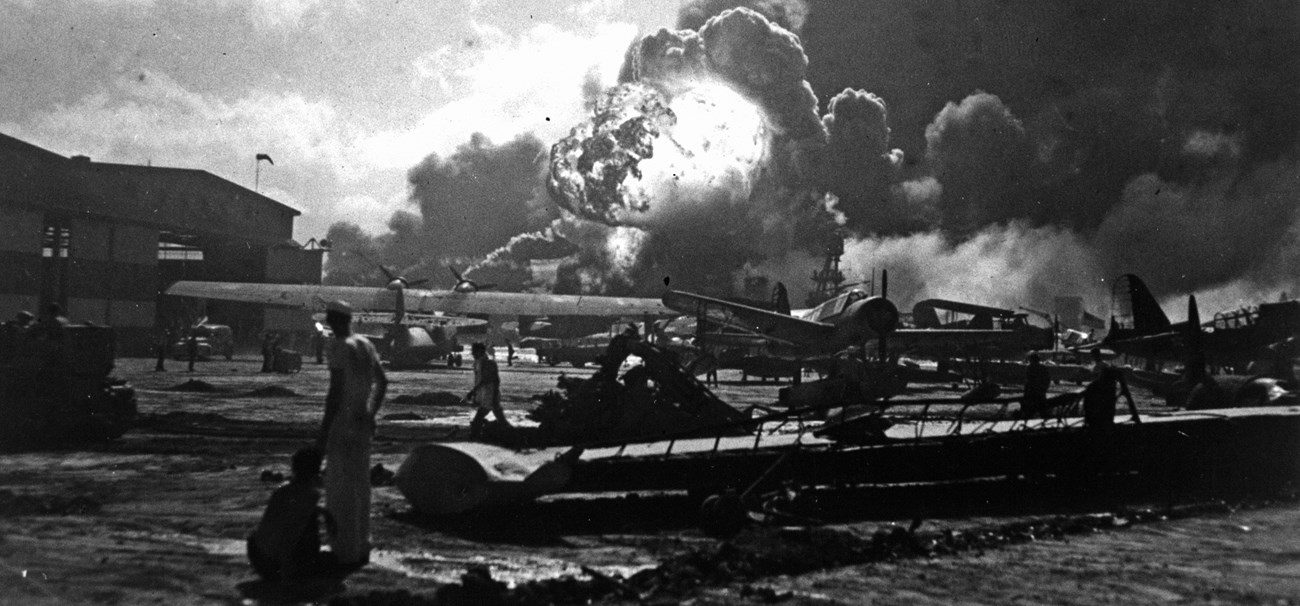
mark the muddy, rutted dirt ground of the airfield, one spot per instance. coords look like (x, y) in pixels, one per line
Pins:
(161, 516)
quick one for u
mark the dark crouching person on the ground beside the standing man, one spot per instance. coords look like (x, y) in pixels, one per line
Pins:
(287, 544)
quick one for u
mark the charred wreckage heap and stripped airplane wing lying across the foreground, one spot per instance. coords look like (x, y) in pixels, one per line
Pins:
(658, 428)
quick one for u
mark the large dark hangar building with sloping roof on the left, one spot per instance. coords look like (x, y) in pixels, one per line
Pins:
(106, 240)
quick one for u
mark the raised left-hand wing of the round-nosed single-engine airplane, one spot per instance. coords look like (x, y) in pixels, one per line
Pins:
(752, 321)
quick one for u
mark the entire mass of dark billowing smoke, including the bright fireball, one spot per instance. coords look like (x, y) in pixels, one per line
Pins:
(981, 151)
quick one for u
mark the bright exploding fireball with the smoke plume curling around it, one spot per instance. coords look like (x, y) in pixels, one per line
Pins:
(703, 162)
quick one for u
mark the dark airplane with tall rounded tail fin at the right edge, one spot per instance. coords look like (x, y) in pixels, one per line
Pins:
(1232, 340)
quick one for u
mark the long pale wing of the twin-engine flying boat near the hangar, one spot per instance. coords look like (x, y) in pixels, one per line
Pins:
(419, 301)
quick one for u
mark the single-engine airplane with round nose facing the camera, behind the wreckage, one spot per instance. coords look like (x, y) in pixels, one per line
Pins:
(850, 319)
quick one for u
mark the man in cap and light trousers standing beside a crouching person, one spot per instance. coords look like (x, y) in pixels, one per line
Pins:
(357, 389)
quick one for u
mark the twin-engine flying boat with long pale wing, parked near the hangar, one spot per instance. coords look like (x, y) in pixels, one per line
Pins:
(423, 323)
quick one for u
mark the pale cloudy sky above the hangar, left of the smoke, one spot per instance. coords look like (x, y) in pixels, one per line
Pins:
(345, 96)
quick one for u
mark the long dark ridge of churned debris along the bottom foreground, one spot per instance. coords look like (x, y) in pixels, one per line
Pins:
(765, 553)
